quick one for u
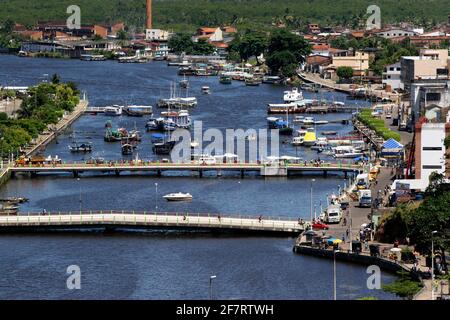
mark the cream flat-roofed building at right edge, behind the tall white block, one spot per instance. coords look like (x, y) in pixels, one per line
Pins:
(430, 64)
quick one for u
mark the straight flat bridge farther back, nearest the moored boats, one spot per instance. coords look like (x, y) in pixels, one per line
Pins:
(158, 168)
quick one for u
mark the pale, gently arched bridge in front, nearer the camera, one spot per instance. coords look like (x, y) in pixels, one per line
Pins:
(110, 220)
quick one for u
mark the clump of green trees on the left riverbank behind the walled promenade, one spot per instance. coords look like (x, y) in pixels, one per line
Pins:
(44, 105)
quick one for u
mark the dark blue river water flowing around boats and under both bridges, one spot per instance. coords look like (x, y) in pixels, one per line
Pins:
(167, 265)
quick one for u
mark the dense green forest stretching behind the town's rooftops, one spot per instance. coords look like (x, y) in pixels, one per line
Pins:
(182, 14)
